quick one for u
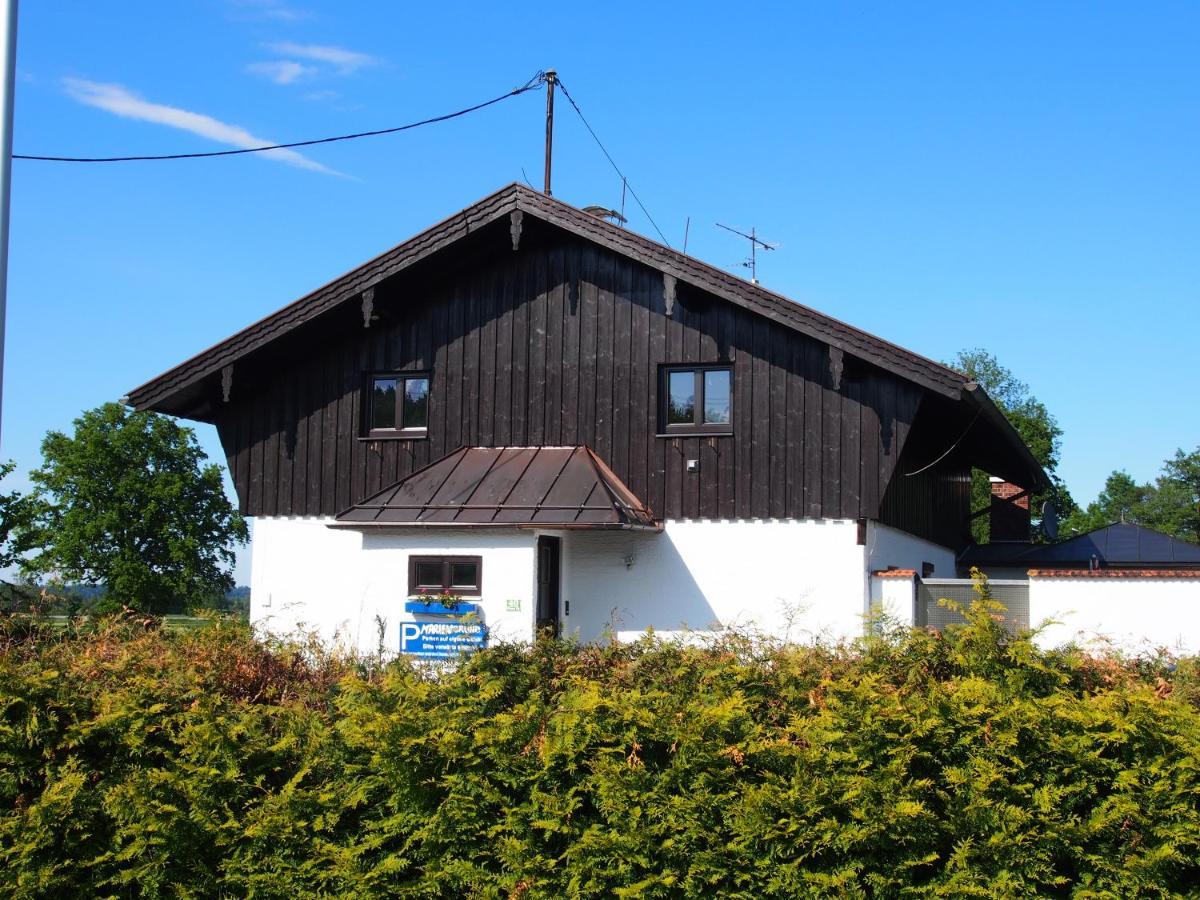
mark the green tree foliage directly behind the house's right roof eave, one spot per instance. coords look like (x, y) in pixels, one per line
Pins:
(1033, 421)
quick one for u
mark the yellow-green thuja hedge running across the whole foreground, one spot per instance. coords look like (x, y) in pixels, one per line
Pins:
(135, 763)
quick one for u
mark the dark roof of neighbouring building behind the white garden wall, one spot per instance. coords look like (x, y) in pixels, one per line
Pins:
(1120, 545)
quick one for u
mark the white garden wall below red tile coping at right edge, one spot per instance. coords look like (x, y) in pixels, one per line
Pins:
(1133, 614)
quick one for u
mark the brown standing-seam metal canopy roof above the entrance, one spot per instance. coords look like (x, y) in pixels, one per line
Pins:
(512, 487)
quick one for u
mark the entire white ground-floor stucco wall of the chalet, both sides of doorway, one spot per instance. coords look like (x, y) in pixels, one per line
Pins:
(794, 580)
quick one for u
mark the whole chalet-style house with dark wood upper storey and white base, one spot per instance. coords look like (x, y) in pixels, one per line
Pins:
(562, 424)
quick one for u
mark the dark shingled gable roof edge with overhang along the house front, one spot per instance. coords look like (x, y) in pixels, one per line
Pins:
(193, 388)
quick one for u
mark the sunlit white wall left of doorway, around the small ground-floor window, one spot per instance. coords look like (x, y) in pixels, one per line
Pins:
(309, 578)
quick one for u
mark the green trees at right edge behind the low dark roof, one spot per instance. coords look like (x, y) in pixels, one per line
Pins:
(1171, 503)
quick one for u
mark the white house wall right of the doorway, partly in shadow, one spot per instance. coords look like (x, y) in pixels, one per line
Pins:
(794, 580)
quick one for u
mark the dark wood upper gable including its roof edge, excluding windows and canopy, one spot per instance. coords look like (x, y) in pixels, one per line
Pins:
(537, 333)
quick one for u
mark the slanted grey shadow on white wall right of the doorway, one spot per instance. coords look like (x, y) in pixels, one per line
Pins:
(629, 583)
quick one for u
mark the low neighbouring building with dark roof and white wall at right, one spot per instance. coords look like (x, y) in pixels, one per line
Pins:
(1124, 585)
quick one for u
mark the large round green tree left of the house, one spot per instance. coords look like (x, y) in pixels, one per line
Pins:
(128, 501)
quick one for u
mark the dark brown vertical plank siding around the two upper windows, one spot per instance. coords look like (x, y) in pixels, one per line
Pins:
(561, 344)
